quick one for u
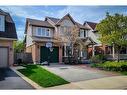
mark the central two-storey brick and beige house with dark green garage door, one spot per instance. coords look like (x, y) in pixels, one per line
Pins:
(39, 32)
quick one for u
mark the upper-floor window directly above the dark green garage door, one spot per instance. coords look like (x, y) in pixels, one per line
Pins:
(43, 32)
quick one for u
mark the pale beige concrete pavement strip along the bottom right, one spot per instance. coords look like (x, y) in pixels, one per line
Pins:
(115, 82)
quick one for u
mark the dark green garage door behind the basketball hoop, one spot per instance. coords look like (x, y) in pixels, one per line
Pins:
(46, 55)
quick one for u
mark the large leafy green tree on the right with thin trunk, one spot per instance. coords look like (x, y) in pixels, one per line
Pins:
(113, 30)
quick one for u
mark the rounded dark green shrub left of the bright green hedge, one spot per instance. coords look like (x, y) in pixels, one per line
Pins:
(98, 58)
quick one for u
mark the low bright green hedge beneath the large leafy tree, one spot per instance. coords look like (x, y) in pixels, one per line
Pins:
(112, 66)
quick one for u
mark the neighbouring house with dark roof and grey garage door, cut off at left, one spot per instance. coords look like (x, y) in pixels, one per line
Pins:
(7, 36)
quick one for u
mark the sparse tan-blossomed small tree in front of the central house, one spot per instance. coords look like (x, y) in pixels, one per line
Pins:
(70, 36)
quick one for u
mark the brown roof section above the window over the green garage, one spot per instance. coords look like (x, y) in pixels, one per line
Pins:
(39, 23)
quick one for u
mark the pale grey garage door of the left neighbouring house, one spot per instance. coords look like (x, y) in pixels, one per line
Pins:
(3, 57)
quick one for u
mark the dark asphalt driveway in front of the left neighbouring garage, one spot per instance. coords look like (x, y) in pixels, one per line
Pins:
(10, 80)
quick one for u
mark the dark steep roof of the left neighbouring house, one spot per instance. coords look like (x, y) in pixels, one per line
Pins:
(10, 30)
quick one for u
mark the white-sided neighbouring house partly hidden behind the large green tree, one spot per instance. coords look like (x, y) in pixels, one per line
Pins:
(99, 48)
